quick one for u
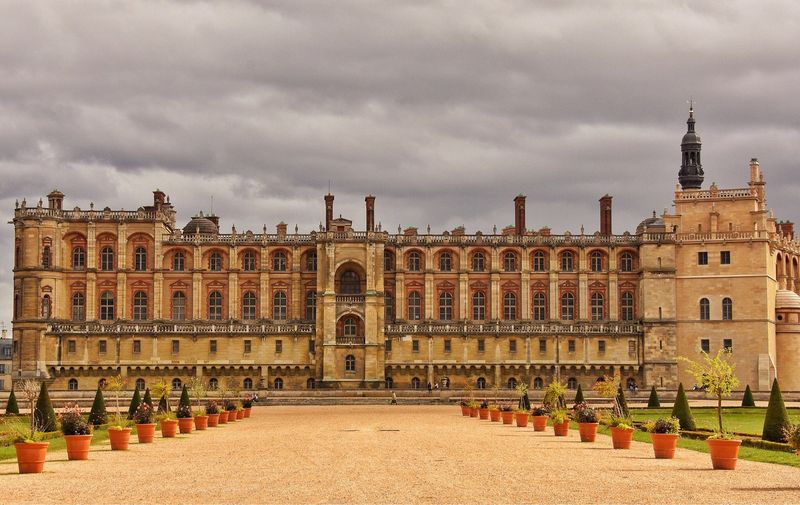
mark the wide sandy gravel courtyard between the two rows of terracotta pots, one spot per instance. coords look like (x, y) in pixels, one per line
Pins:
(389, 454)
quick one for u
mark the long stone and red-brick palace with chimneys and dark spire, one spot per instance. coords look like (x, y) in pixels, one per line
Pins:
(101, 292)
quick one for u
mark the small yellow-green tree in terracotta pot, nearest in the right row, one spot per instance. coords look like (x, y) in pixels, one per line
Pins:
(717, 376)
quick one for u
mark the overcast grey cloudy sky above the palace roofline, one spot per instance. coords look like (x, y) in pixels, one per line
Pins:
(443, 110)
